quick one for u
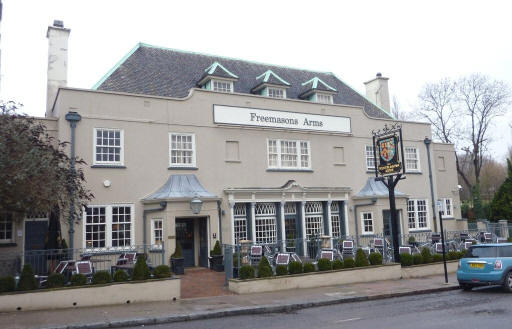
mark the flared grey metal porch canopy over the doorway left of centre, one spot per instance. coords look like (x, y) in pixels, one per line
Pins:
(180, 187)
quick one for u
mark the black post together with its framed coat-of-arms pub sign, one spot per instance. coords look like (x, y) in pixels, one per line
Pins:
(387, 143)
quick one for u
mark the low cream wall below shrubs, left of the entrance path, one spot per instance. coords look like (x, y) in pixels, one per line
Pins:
(109, 294)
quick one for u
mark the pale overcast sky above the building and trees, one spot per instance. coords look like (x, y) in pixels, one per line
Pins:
(411, 42)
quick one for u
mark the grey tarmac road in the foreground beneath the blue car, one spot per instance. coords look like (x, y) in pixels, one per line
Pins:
(480, 308)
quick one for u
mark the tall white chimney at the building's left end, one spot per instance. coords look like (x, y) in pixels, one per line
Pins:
(57, 62)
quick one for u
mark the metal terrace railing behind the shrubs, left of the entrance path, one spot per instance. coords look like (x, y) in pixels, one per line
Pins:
(43, 262)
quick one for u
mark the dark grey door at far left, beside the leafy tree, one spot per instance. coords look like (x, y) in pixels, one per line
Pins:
(35, 236)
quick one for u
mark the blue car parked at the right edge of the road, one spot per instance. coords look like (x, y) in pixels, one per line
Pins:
(486, 264)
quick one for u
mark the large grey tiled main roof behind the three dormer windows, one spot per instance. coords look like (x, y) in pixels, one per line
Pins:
(165, 72)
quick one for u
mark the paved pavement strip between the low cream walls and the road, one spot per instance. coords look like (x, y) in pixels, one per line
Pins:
(214, 307)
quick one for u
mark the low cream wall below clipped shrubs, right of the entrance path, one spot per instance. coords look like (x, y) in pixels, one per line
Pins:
(316, 279)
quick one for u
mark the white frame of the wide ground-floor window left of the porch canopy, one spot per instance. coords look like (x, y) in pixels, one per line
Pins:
(108, 227)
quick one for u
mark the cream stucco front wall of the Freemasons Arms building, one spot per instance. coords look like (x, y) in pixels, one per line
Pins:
(147, 121)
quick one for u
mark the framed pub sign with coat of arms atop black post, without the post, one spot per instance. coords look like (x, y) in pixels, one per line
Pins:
(388, 149)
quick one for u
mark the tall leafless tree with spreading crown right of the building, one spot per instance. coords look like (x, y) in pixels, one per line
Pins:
(461, 112)
